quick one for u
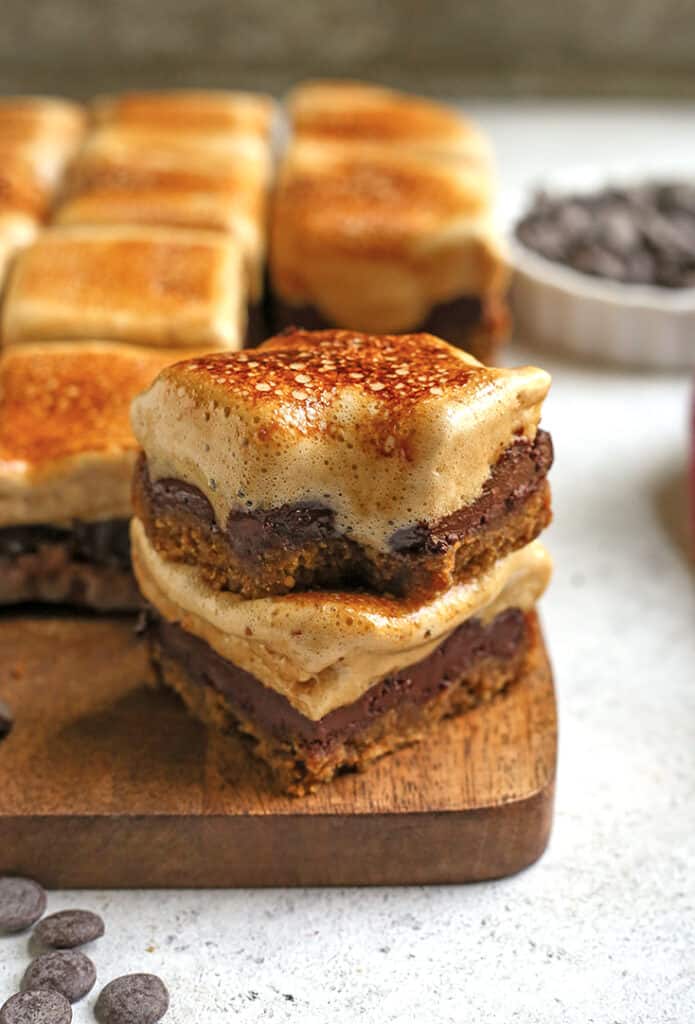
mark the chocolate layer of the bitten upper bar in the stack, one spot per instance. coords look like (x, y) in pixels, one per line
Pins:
(518, 474)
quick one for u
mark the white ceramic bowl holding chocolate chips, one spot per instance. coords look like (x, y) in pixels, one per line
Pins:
(593, 318)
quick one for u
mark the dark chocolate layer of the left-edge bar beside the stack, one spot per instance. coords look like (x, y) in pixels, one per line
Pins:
(106, 543)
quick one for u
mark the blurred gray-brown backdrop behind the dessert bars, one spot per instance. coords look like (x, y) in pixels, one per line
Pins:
(591, 48)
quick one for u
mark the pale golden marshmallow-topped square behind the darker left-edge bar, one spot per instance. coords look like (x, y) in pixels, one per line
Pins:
(153, 286)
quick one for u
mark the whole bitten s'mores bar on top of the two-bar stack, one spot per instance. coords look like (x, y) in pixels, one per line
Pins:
(400, 465)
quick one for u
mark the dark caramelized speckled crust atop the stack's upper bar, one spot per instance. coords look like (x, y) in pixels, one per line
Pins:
(298, 377)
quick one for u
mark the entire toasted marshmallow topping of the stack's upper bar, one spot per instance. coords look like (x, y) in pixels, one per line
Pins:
(387, 432)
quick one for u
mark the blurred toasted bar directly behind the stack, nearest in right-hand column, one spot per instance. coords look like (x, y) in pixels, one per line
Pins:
(386, 239)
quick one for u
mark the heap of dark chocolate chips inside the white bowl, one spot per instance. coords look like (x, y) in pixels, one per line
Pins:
(644, 235)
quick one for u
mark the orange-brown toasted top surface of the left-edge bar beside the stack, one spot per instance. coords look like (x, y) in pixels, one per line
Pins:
(58, 404)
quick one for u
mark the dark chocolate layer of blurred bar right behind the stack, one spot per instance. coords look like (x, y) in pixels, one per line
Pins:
(468, 322)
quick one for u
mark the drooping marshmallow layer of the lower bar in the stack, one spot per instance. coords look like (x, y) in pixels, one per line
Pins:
(324, 651)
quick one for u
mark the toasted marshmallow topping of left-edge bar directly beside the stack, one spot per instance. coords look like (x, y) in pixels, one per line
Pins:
(67, 450)
